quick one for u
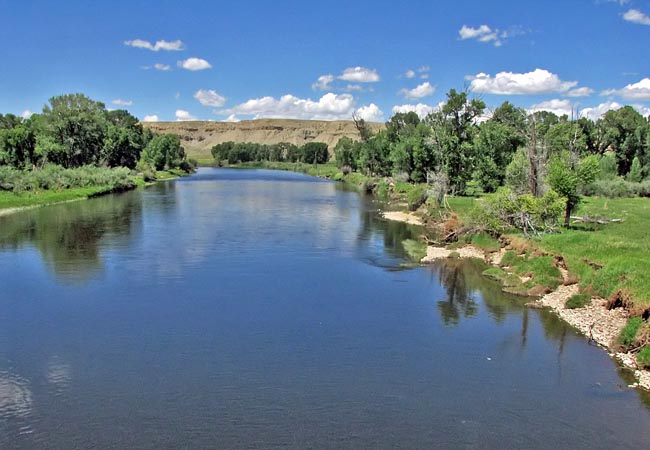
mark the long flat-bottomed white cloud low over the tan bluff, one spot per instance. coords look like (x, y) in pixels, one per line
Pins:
(329, 107)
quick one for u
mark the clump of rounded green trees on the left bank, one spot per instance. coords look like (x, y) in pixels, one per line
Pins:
(74, 131)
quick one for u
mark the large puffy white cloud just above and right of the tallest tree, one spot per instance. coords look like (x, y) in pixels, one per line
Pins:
(539, 81)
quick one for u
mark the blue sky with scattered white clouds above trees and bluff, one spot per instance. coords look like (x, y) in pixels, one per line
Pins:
(173, 60)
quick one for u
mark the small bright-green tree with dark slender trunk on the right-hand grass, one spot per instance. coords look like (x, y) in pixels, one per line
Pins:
(567, 176)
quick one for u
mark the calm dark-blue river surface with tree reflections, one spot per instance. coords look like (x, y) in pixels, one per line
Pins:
(269, 310)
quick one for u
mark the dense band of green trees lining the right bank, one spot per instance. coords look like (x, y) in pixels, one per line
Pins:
(530, 153)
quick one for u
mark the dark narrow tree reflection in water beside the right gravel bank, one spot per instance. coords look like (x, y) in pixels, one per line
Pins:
(460, 301)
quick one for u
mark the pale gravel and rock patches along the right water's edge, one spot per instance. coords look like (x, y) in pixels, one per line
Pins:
(598, 323)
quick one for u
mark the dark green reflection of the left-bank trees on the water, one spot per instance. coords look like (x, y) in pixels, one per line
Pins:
(68, 236)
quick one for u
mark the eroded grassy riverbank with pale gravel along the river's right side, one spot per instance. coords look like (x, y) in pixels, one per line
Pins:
(606, 263)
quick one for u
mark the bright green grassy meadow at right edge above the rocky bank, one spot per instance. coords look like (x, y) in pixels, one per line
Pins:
(621, 249)
